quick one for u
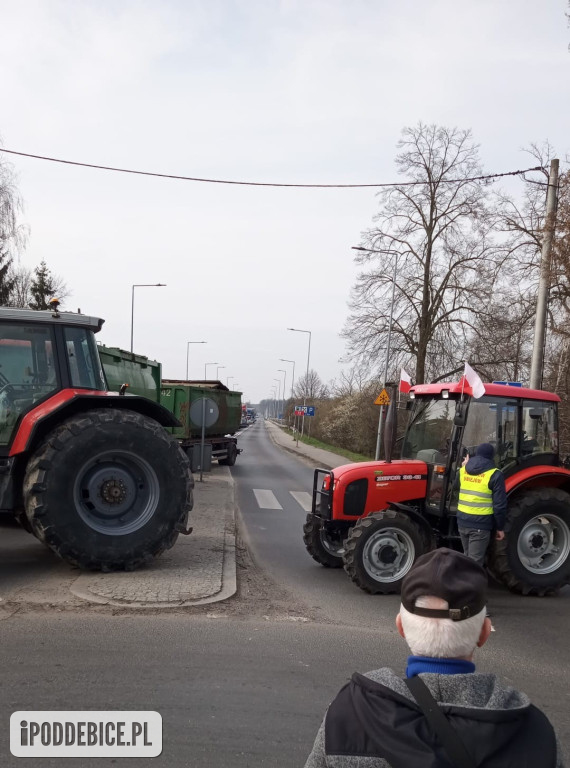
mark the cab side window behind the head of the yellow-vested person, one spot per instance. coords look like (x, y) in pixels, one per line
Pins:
(493, 420)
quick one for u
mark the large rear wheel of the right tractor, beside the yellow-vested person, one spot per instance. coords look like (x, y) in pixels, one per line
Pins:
(534, 556)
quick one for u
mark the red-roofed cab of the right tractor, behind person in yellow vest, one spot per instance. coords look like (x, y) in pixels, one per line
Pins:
(445, 425)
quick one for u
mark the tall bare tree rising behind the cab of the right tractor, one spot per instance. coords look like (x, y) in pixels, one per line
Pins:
(439, 230)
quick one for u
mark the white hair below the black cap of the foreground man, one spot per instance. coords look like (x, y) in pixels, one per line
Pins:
(441, 638)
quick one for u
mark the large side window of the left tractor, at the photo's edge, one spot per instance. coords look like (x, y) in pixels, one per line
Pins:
(27, 372)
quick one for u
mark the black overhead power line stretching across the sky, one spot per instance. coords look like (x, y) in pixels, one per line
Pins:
(486, 177)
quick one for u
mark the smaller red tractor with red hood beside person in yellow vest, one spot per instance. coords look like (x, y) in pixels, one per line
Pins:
(377, 517)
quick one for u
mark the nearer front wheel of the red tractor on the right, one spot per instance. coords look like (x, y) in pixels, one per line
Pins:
(381, 549)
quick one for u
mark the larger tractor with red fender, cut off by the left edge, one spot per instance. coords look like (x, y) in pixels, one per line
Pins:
(92, 473)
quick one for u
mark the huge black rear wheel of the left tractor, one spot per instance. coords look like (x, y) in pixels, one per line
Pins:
(108, 490)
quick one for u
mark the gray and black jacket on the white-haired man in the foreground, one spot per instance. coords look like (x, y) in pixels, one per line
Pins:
(356, 729)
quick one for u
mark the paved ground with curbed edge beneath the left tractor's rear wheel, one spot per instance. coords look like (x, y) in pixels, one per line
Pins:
(199, 569)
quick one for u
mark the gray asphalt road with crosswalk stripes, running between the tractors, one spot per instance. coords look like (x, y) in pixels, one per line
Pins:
(246, 682)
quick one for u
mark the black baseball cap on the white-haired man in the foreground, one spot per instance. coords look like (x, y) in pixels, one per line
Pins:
(451, 576)
